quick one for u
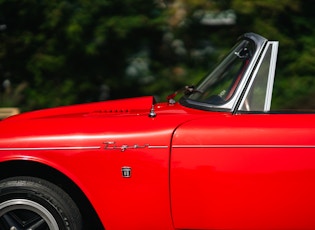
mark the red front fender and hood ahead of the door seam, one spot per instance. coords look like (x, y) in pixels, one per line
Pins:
(95, 148)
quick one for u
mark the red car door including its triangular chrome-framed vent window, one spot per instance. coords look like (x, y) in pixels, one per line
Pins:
(245, 168)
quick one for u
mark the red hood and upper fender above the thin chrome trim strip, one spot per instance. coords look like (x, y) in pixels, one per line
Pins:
(125, 121)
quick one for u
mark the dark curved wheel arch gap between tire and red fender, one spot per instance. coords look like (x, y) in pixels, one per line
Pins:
(34, 169)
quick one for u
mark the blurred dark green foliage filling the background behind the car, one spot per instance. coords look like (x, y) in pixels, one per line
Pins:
(64, 52)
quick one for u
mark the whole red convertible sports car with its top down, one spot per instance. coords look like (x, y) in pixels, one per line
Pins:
(217, 159)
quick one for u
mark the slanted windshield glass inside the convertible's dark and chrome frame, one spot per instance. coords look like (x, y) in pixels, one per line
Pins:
(219, 86)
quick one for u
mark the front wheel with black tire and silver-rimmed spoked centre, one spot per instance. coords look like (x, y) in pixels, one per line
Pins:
(33, 203)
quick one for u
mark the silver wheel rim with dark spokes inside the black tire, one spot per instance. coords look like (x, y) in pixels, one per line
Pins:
(26, 214)
